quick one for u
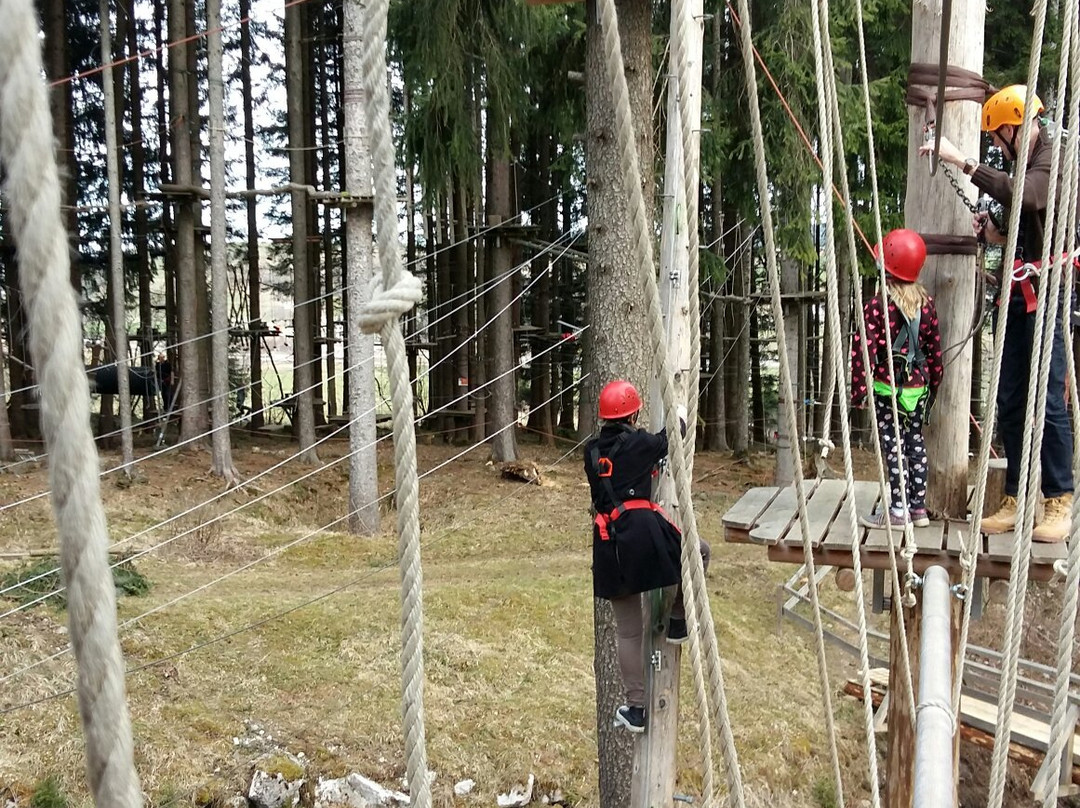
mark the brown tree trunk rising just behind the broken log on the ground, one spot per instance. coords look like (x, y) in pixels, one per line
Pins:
(504, 411)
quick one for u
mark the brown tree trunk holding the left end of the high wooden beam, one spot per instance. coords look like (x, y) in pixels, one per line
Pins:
(193, 410)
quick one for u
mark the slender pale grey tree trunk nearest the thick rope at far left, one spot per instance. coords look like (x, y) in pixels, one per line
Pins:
(116, 247)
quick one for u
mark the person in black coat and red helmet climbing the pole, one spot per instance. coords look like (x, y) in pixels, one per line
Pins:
(636, 545)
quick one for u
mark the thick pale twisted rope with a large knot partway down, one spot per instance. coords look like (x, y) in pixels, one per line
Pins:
(384, 314)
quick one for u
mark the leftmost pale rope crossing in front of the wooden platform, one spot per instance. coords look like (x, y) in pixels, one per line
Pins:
(786, 375)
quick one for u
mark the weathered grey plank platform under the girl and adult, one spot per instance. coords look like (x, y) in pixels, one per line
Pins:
(769, 517)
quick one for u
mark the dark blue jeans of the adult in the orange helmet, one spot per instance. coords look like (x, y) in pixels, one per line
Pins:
(1021, 357)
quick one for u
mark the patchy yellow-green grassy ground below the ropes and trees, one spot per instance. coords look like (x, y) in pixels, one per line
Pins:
(508, 636)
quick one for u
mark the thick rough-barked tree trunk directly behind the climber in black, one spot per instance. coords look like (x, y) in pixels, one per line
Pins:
(615, 313)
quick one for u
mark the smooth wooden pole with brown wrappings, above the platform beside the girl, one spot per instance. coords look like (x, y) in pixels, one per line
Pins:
(934, 208)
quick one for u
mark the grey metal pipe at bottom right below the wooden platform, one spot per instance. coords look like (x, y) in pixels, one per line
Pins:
(935, 728)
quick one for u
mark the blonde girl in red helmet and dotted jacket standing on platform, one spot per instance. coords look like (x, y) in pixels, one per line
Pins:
(913, 380)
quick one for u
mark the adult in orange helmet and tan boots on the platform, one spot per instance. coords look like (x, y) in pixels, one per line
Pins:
(1003, 118)
